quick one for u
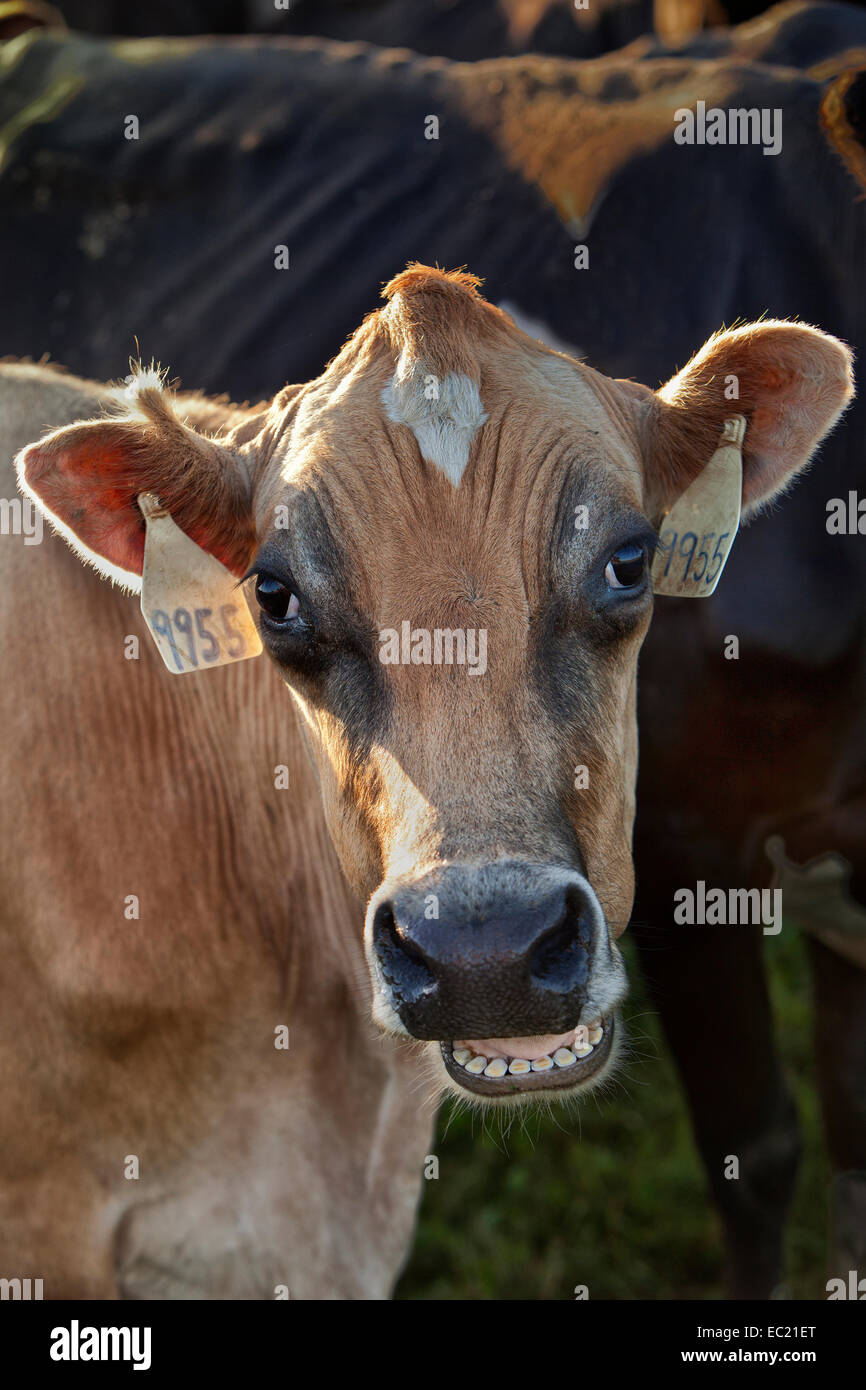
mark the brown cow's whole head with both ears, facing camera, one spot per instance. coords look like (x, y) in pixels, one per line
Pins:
(450, 537)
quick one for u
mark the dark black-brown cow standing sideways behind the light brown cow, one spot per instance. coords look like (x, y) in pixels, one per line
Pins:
(318, 156)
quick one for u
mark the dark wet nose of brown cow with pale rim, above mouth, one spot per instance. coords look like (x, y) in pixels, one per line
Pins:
(496, 961)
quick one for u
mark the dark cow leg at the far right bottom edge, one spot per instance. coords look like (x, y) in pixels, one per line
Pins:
(840, 1046)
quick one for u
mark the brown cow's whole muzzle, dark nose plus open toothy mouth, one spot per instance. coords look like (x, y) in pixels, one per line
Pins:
(509, 967)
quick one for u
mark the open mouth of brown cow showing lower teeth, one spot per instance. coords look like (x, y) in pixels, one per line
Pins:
(521, 1067)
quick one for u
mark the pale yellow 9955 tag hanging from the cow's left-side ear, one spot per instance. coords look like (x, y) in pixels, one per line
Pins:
(193, 605)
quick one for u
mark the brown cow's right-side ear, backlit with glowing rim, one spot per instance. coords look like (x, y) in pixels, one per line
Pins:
(790, 382)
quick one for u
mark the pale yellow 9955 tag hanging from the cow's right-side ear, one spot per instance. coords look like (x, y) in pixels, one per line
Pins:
(697, 534)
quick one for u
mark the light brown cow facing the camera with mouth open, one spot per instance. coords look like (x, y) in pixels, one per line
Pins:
(408, 907)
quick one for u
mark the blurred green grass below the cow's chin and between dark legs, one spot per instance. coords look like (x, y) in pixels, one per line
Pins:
(612, 1196)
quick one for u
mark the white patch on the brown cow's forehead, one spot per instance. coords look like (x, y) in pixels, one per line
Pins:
(443, 412)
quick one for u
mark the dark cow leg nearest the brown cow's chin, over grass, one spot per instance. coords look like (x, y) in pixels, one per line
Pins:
(710, 989)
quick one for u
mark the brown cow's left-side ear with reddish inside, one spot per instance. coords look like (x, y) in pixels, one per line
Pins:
(87, 479)
